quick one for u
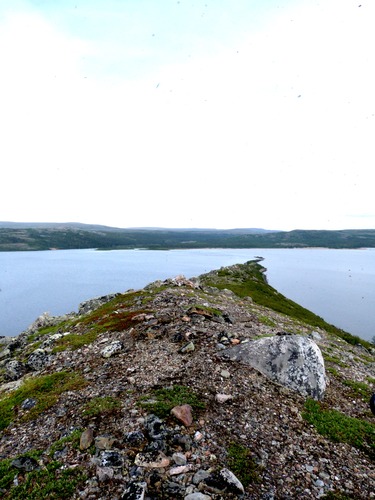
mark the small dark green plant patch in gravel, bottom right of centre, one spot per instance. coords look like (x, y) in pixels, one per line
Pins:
(241, 463)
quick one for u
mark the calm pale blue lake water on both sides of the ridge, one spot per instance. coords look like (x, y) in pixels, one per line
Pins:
(339, 285)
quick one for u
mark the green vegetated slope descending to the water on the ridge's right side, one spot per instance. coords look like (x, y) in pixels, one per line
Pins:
(248, 280)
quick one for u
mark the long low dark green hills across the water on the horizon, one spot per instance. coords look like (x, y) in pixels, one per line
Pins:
(45, 236)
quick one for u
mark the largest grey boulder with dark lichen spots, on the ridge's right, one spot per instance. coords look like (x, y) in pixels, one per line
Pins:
(293, 361)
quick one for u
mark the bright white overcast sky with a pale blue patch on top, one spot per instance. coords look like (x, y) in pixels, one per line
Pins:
(189, 113)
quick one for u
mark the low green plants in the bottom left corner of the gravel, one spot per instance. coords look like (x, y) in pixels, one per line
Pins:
(51, 481)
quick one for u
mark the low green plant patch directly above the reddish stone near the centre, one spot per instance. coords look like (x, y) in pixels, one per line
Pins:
(161, 401)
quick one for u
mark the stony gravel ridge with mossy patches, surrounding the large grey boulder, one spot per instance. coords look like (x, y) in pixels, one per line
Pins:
(145, 402)
